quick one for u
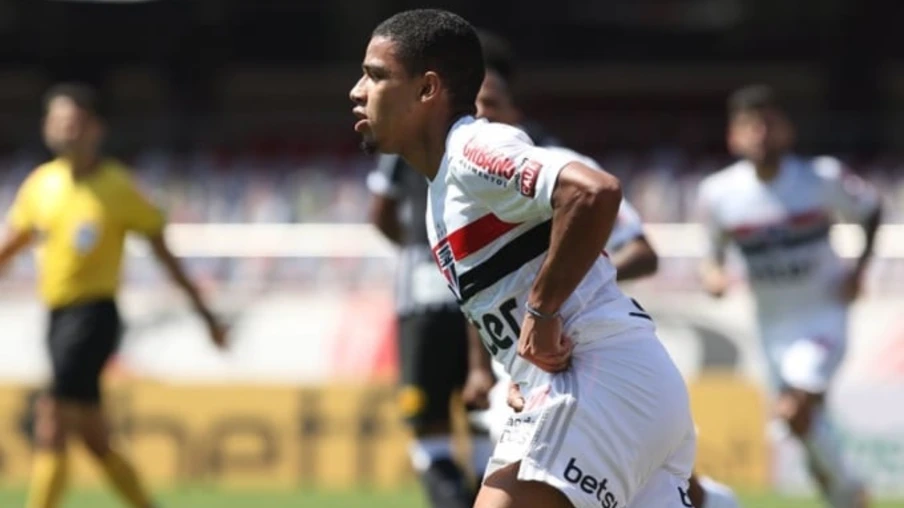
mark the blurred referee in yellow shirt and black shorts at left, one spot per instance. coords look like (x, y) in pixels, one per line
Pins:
(78, 208)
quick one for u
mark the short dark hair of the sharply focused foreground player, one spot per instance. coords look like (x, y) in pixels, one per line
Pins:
(442, 42)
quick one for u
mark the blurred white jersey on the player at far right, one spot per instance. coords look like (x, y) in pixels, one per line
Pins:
(781, 228)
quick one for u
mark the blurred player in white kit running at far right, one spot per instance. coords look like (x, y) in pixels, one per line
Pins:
(777, 208)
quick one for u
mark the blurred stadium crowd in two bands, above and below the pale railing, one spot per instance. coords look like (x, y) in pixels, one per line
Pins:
(282, 187)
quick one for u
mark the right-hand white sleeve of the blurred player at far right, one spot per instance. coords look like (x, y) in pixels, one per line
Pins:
(851, 197)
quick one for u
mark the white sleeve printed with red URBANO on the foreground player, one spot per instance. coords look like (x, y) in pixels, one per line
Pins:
(509, 175)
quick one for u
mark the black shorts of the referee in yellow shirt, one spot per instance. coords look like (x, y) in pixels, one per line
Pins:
(81, 338)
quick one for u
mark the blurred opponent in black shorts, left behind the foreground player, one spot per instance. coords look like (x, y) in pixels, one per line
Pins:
(433, 332)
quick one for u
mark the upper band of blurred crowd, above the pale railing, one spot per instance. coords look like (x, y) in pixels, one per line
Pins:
(222, 187)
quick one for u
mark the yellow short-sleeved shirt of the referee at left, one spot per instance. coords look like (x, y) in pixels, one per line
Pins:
(80, 226)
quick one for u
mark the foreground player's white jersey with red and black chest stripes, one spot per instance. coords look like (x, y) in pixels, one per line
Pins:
(489, 217)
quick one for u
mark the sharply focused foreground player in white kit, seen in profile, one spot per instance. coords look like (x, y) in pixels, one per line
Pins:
(518, 231)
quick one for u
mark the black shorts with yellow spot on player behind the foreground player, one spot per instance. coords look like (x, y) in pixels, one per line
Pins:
(433, 357)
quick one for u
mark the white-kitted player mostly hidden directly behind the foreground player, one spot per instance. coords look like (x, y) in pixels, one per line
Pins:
(630, 252)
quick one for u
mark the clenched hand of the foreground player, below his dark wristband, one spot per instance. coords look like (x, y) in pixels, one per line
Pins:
(543, 344)
